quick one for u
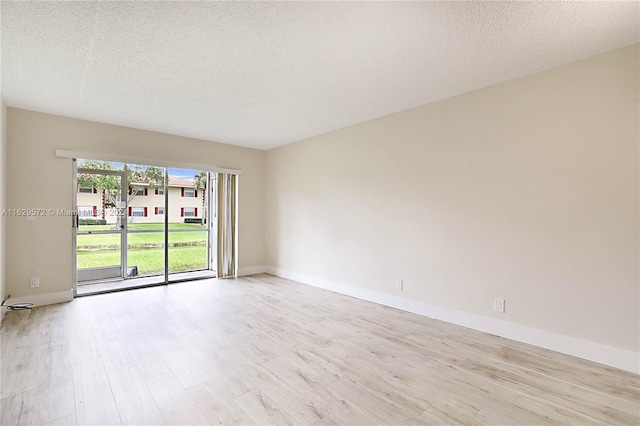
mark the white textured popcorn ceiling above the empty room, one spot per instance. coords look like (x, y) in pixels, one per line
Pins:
(269, 73)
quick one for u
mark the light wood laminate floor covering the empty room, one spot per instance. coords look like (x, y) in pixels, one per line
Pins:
(264, 350)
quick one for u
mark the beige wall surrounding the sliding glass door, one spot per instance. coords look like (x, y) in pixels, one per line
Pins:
(39, 179)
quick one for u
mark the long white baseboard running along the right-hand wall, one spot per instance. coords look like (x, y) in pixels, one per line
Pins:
(614, 357)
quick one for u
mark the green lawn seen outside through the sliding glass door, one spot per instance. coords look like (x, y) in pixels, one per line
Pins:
(187, 250)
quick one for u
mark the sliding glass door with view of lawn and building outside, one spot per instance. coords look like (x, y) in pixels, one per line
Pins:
(140, 225)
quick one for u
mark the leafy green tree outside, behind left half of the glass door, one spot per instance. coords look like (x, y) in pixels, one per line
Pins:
(109, 185)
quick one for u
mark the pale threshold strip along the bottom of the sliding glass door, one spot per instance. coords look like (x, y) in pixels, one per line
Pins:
(87, 289)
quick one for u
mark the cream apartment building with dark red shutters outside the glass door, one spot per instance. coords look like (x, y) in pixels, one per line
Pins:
(147, 204)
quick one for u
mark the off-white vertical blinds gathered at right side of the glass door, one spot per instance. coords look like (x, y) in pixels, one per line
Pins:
(227, 225)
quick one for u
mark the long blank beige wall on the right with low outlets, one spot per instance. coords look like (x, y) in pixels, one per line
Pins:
(527, 190)
